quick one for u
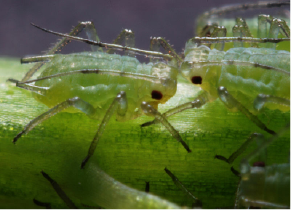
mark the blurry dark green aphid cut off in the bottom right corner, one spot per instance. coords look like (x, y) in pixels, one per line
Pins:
(264, 186)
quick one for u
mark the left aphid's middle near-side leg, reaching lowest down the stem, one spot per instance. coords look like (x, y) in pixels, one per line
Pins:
(119, 104)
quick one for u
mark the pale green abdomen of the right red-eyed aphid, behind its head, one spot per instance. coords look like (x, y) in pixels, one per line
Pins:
(246, 82)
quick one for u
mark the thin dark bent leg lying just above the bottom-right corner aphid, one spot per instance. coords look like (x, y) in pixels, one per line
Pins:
(240, 150)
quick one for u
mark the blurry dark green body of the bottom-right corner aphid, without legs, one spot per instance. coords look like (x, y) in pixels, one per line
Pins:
(269, 185)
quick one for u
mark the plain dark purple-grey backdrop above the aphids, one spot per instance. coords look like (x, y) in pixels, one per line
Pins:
(173, 19)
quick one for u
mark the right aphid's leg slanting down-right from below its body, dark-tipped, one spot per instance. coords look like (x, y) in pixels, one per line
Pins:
(231, 102)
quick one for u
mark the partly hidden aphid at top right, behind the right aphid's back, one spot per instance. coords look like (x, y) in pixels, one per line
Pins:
(211, 24)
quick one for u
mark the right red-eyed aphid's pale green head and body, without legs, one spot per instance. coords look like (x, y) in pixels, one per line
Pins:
(244, 78)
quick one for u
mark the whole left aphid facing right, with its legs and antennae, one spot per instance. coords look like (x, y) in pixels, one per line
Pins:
(97, 82)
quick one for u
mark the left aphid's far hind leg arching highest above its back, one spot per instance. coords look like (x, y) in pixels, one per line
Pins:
(91, 33)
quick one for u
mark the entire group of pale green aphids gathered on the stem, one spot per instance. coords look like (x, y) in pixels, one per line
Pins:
(244, 79)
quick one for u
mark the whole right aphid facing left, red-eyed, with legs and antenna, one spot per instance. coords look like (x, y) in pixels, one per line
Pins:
(239, 77)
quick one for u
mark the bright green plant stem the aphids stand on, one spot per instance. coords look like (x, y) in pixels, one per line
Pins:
(130, 154)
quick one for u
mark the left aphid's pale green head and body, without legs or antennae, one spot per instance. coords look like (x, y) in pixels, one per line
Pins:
(92, 87)
